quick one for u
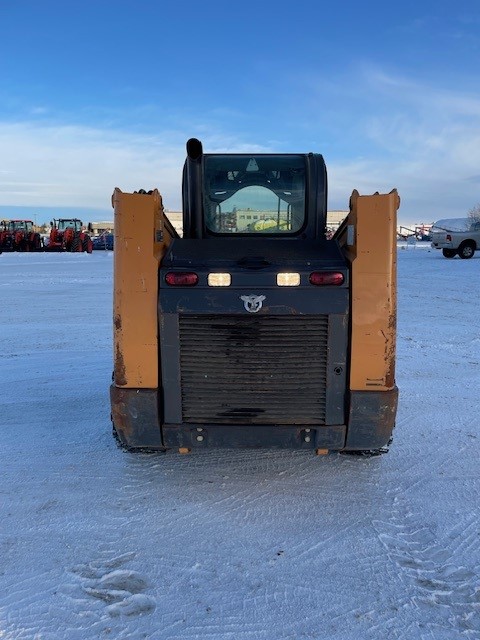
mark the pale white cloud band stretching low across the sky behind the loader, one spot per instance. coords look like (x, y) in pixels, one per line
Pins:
(379, 130)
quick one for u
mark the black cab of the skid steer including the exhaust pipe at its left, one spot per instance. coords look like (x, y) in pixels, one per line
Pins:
(261, 195)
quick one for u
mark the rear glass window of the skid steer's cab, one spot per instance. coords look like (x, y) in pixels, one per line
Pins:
(262, 194)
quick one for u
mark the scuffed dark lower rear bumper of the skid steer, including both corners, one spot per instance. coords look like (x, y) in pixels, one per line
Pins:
(136, 419)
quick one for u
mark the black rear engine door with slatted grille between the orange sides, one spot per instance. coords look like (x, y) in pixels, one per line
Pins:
(283, 364)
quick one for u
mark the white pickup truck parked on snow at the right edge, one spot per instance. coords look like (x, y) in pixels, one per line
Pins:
(456, 236)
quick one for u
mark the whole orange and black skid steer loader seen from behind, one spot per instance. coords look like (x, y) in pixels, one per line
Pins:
(253, 329)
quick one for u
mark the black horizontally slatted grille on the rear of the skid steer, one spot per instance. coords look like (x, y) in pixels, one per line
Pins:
(261, 369)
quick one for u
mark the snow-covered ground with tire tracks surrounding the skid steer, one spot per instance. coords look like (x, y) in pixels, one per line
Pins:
(237, 545)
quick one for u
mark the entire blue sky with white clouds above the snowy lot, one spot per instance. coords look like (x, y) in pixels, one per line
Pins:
(97, 95)
